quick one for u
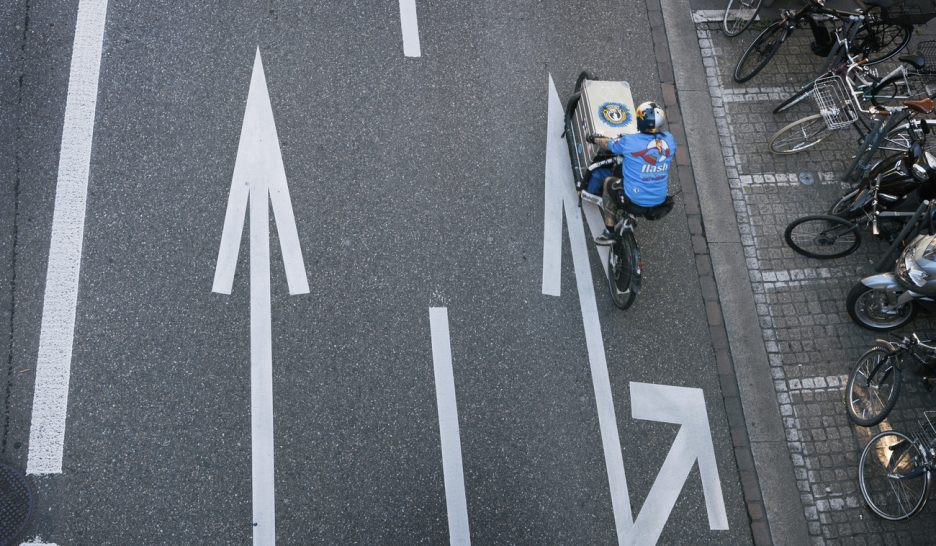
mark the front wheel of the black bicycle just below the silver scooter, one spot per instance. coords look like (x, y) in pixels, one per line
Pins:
(875, 373)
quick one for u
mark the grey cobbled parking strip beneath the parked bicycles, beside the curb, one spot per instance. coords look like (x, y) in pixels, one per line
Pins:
(810, 341)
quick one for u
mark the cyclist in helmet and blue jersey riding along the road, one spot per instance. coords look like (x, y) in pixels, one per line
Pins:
(646, 159)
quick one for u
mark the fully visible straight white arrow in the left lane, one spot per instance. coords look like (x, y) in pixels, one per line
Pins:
(259, 177)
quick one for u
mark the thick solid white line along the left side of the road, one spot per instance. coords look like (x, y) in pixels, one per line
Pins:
(57, 333)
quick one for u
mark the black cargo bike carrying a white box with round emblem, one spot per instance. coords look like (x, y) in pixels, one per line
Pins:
(606, 108)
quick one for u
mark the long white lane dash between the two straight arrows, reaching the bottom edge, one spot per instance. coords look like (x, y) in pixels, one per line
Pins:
(452, 472)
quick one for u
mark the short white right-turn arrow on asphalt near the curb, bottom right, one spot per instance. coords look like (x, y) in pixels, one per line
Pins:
(686, 407)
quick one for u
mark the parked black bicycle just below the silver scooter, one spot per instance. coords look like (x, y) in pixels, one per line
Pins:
(874, 383)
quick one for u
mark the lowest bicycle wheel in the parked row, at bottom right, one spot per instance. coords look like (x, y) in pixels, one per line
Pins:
(891, 476)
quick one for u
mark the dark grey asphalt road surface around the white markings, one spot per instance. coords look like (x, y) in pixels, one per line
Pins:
(416, 183)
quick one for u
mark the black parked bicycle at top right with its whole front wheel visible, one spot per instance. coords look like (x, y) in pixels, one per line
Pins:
(864, 32)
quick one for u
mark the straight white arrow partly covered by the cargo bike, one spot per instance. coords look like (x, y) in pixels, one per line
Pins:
(560, 189)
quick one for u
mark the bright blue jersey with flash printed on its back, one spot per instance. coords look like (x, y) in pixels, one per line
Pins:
(646, 165)
